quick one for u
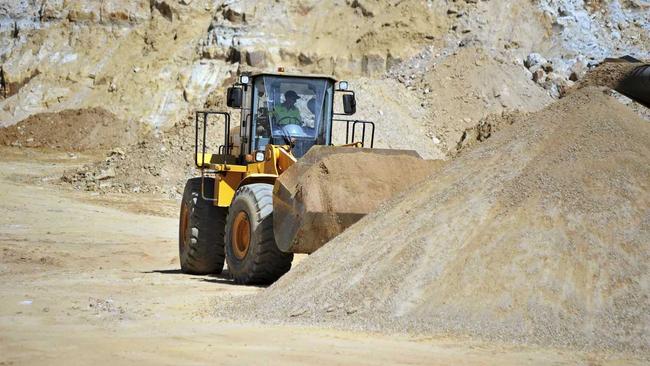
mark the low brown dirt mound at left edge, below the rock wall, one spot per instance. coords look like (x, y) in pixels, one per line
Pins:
(70, 130)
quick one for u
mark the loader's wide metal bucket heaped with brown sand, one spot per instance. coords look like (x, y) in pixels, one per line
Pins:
(331, 188)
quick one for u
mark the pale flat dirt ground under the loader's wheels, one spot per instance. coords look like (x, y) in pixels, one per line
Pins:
(95, 279)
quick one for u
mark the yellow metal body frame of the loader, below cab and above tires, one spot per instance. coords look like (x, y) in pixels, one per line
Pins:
(230, 177)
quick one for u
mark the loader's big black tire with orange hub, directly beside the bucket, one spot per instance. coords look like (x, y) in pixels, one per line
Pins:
(252, 255)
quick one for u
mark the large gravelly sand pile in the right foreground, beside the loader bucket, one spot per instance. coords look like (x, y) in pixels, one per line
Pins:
(539, 235)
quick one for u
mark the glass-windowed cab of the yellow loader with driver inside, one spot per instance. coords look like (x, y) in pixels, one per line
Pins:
(281, 109)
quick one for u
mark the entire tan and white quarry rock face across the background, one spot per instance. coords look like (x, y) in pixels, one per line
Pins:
(153, 62)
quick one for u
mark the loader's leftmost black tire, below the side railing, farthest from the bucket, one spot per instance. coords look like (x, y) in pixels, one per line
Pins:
(201, 229)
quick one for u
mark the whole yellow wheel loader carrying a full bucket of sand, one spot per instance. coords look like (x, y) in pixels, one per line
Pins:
(277, 185)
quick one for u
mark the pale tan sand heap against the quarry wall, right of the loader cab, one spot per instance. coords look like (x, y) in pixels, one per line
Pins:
(463, 88)
